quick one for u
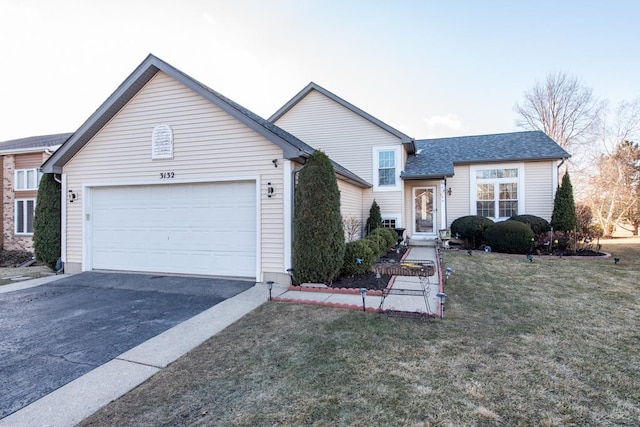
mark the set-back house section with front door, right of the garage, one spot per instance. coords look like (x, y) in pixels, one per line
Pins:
(424, 185)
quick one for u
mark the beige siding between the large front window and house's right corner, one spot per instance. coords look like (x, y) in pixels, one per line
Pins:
(539, 191)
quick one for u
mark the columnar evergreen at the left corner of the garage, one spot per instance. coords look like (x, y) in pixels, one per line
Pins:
(46, 226)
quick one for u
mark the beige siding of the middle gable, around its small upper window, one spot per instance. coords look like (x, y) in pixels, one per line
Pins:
(345, 137)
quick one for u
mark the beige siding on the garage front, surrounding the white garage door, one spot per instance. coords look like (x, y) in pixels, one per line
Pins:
(209, 145)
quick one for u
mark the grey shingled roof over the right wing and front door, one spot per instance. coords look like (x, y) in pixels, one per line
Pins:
(435, 158)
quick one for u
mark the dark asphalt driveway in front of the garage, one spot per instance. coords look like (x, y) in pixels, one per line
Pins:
(57, 332)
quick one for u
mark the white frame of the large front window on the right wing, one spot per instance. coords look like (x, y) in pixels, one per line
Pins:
(519, 180)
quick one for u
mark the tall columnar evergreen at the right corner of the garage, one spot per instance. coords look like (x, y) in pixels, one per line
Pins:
(318, 245)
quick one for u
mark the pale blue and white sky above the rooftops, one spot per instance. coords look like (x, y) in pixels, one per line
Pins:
(428, 68)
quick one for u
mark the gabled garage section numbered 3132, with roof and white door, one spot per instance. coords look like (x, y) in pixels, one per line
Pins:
(169, 176)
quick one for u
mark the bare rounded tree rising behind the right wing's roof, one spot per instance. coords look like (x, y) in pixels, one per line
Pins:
(562, 108)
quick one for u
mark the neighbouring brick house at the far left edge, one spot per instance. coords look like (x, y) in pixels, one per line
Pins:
(21, 159)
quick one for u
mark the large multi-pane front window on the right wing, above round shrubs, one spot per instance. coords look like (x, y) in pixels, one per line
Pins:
(497, 192)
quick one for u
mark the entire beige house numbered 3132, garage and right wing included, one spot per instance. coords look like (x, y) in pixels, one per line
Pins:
(169, 176)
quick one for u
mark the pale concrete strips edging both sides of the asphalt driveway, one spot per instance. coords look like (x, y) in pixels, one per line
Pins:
(77, 400)
